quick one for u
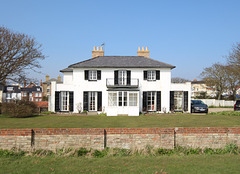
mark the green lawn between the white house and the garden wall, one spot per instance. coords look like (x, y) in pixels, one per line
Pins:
(145, 121)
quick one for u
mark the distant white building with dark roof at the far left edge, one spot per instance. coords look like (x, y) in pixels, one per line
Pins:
(11, 92)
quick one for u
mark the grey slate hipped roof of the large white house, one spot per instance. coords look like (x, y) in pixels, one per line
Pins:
(119, 62)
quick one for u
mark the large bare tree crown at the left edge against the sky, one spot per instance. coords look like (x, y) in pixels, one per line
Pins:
(18, 52)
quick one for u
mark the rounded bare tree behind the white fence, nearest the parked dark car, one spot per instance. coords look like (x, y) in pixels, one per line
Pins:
(216, 76)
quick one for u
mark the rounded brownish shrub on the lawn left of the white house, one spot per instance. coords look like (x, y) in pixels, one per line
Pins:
(19, 109)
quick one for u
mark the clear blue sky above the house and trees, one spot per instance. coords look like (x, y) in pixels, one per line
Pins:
(190, 34)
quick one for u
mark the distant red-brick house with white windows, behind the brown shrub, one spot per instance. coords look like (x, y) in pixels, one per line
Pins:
(32, 92)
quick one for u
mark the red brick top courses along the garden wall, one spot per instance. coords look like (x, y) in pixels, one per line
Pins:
(101, 131)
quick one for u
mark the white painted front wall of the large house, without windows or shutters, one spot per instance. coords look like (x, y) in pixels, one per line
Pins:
(75, 82)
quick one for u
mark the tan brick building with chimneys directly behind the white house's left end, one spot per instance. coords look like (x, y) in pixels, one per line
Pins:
(46, 86)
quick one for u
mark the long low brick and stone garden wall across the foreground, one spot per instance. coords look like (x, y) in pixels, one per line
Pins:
(98, 138)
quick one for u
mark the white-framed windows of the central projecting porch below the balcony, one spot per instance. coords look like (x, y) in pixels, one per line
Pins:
(122, 98)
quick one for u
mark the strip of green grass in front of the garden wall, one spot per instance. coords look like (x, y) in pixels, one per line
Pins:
(227, 163)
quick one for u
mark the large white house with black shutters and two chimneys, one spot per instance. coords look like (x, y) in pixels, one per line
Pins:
(119, 85)
